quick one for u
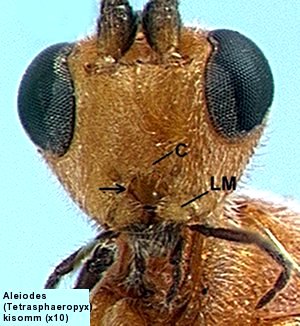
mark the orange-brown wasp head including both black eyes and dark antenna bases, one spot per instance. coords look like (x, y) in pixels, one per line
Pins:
(104, 116)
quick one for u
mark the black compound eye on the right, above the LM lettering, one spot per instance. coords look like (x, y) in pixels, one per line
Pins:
(238, 83)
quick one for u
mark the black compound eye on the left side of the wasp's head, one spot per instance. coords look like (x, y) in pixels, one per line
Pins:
(46, 102)
